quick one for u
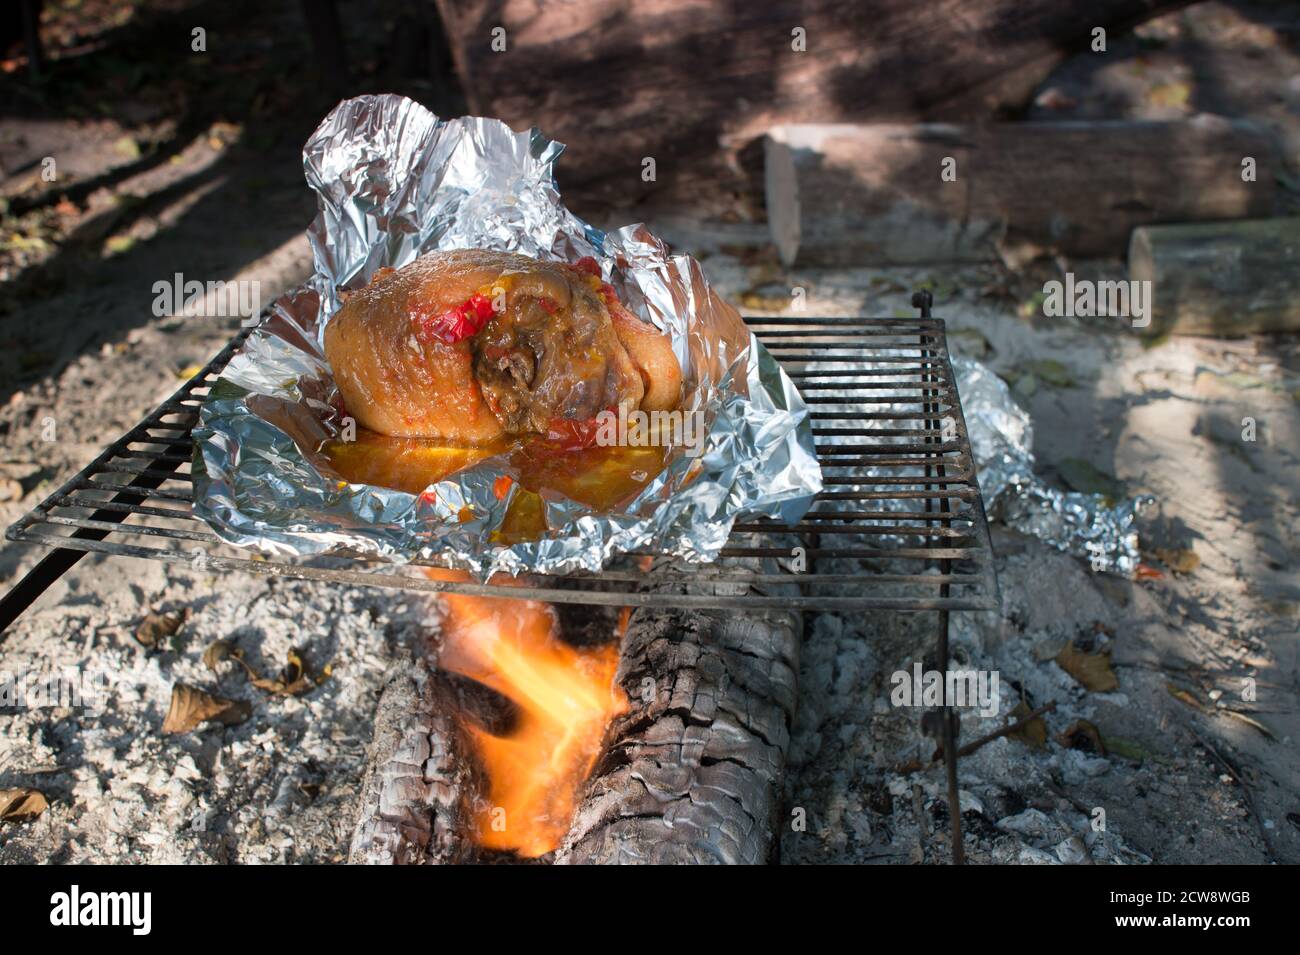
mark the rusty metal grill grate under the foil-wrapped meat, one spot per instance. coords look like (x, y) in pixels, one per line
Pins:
(900, 524)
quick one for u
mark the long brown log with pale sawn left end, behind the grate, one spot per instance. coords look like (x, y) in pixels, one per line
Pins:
(857, 196)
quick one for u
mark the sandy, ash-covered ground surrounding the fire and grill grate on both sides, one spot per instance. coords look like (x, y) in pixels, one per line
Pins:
(83, 348)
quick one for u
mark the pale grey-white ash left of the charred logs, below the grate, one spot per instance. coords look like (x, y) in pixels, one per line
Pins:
(272, 789)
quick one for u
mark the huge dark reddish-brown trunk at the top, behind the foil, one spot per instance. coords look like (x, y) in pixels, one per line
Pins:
(691, 84)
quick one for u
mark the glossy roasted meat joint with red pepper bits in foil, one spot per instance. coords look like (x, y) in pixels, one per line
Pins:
(473, 346)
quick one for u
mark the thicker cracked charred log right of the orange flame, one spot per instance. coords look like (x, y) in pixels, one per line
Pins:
(695, 766)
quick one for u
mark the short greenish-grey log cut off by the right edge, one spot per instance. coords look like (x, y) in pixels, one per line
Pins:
(1221, 279)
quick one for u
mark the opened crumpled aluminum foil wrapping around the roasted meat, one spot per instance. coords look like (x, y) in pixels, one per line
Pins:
(395, 183)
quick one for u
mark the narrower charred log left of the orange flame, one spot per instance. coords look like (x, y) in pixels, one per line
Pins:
(415, 804)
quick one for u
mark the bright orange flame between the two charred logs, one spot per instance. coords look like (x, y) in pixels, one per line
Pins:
(566, 698)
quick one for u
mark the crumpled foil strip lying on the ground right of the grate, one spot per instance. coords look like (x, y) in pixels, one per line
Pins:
(1002, 437)
